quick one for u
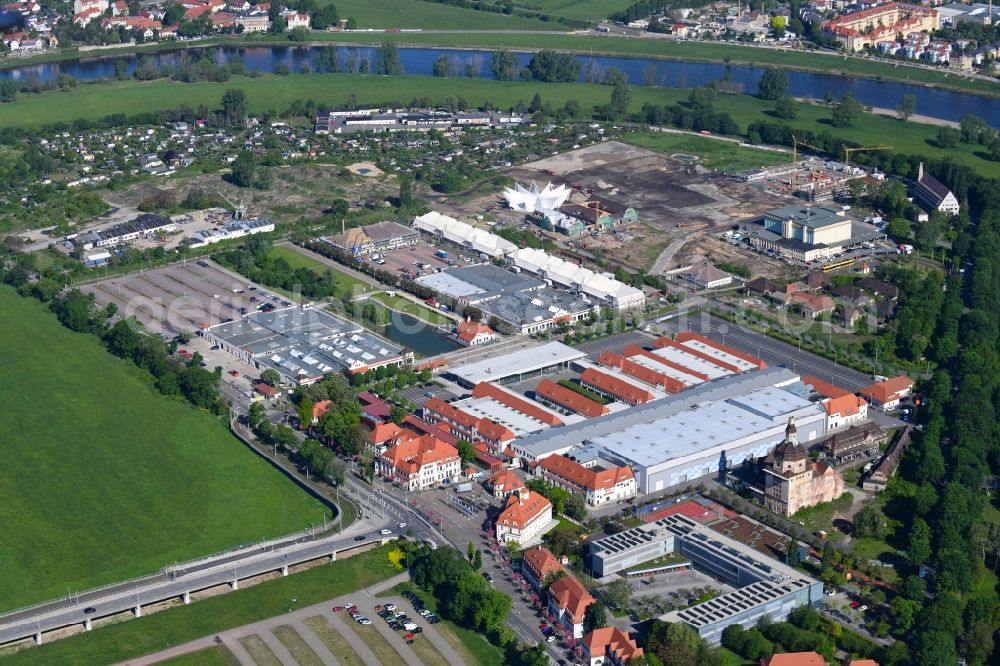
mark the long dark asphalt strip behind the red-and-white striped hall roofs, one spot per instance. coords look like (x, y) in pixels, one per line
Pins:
(773, 352)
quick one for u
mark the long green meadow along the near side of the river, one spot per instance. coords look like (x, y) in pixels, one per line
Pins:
(276, 92)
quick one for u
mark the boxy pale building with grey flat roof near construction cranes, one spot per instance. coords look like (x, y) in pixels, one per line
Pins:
(807, 233)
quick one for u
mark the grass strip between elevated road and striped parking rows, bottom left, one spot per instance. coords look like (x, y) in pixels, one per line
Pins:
(127, 640)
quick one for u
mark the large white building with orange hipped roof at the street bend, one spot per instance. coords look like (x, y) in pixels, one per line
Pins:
(419, 463)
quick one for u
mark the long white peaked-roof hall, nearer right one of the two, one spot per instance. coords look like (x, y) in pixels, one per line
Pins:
(604, 289)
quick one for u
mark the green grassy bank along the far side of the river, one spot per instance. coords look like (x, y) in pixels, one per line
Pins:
(530, 41)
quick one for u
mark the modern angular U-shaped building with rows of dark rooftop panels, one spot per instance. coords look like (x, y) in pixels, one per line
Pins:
(765, 587)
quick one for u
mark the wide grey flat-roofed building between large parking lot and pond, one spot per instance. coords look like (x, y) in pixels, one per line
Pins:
(304, 343)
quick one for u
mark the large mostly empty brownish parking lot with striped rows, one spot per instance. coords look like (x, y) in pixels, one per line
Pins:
(181, 298)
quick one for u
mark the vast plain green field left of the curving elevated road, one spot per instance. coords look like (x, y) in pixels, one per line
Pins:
(103, 480)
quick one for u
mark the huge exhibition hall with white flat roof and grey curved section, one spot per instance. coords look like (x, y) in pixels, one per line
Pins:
(700, 431)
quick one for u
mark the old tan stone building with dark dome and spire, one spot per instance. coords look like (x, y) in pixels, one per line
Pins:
(793, 482)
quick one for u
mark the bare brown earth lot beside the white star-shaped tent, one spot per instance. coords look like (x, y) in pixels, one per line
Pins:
(665, 191)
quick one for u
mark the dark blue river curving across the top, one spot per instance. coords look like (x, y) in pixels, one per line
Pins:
(933, 102)
